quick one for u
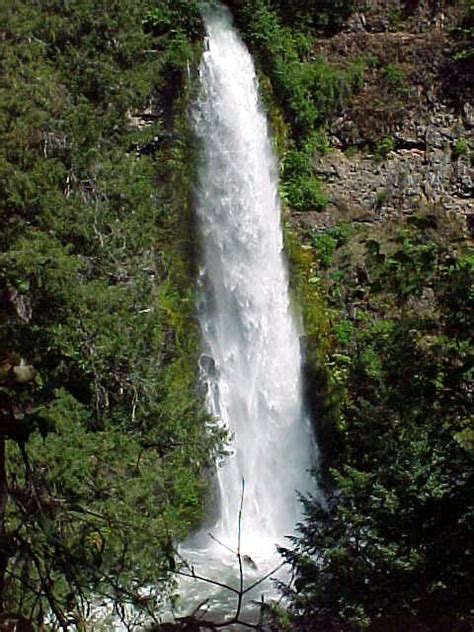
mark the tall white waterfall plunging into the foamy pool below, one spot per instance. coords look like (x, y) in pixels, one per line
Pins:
(251, 359)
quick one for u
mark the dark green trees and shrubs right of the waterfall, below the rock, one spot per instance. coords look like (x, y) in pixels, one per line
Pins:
(393, 537)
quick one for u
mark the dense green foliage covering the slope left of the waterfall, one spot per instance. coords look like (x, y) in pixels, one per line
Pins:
(106, 461)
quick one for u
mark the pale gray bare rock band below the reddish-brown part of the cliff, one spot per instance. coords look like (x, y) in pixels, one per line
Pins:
(423, 168)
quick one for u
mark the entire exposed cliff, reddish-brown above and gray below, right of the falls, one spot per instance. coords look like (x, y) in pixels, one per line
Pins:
(427, 119)
